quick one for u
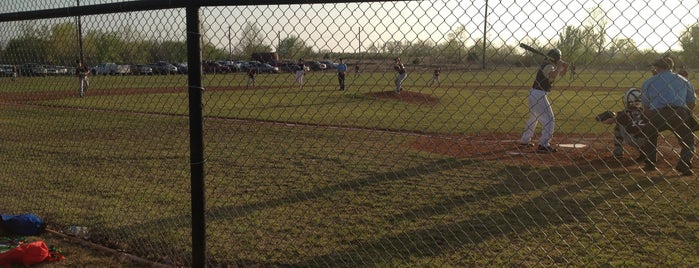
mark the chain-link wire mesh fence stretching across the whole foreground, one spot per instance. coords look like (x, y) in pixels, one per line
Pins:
(371, 167)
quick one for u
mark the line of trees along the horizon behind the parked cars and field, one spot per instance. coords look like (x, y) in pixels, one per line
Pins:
(583, 45)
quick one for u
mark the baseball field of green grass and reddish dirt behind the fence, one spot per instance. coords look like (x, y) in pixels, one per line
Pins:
(318, 177)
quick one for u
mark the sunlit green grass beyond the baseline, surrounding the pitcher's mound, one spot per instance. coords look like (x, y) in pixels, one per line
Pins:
(498, 107)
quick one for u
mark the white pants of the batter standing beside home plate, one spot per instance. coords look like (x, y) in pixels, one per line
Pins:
(539, 112)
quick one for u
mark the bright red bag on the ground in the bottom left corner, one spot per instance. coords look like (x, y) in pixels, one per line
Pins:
(28, 254)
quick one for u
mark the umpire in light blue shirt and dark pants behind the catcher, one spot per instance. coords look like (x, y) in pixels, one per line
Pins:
(668, 100)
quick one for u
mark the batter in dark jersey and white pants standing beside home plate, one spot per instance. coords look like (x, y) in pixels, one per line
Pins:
(539, 106)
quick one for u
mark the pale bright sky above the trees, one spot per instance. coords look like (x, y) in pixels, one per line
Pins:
(353, 27)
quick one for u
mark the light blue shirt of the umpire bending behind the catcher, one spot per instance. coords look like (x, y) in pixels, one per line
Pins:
(667, 89)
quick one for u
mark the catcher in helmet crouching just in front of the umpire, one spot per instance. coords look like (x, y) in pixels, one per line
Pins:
(628, 122)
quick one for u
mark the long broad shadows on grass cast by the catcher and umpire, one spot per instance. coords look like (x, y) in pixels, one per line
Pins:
(550, 208)
